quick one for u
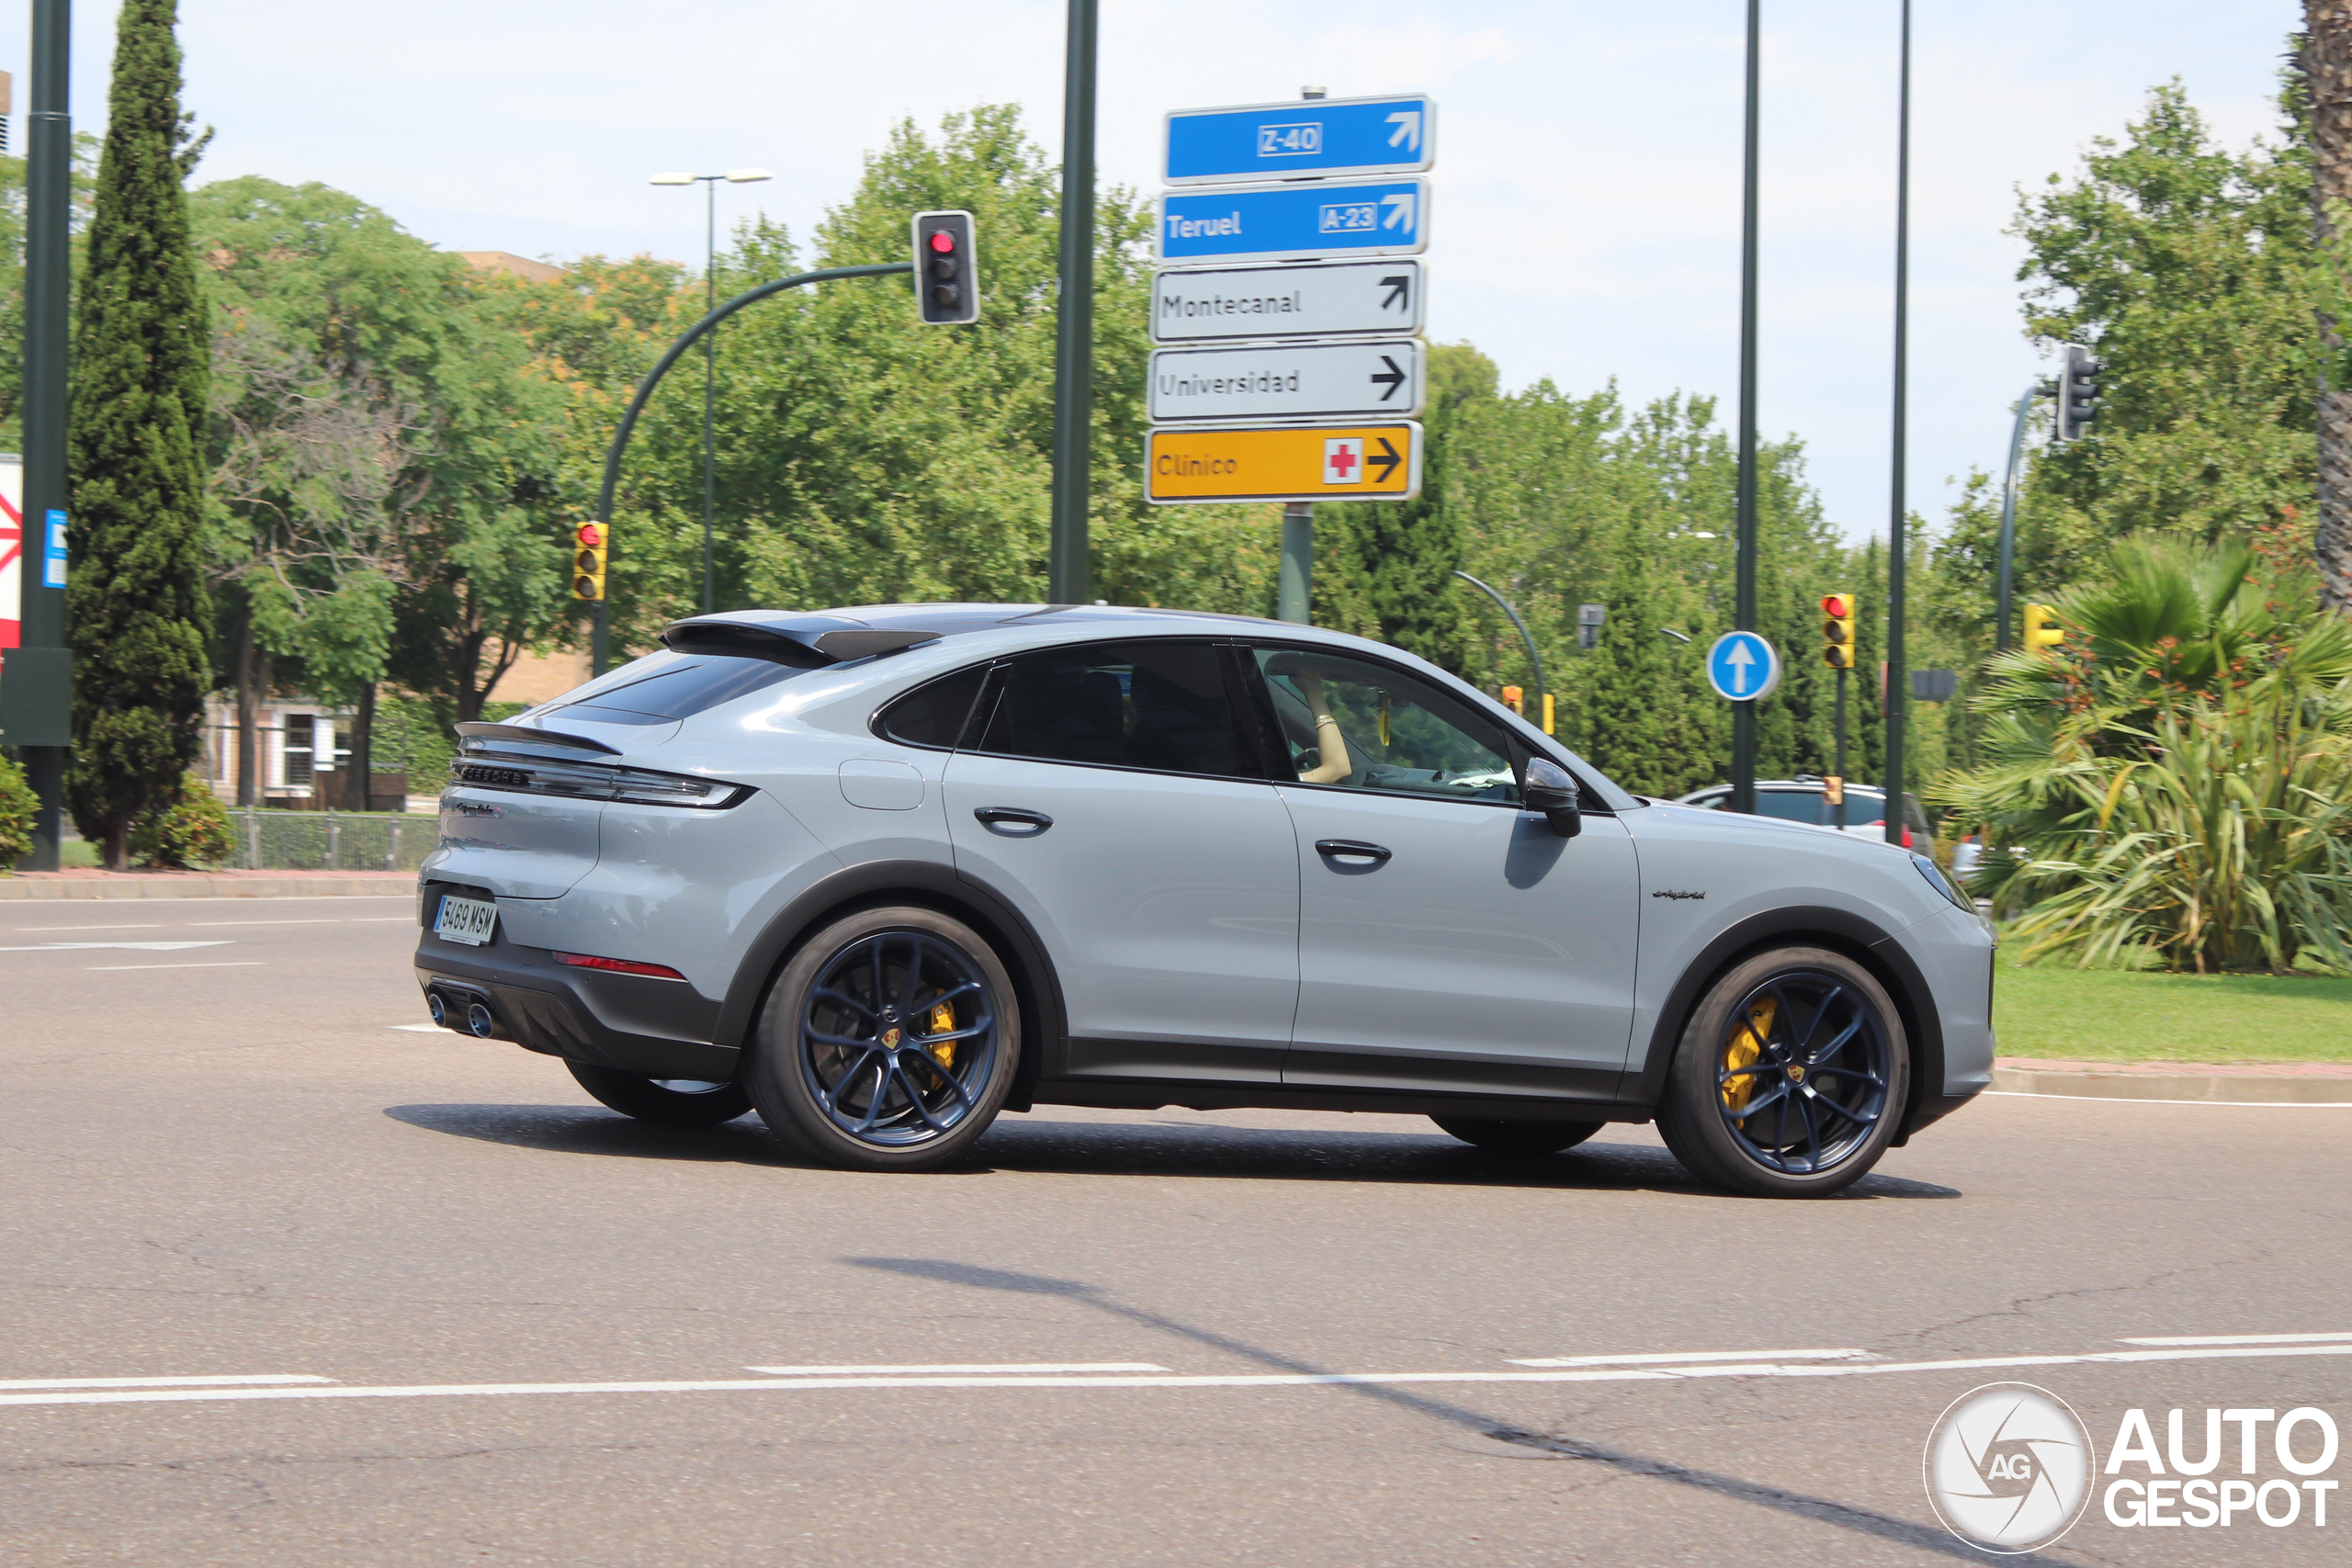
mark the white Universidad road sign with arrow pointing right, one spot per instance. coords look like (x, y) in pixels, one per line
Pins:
(1377, 377)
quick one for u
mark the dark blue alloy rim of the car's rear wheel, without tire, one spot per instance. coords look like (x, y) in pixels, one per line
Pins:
(897, 1038)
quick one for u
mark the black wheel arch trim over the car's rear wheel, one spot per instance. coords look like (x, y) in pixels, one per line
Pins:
(933, 887)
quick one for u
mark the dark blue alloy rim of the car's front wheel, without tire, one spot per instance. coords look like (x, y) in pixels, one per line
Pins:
(1803, 1073)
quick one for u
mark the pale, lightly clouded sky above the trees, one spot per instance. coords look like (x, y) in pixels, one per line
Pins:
(1586, 213)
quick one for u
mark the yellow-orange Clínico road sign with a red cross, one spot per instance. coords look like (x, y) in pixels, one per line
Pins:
(1283, 462)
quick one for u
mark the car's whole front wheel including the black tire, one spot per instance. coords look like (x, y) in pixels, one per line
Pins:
(1822, 1040)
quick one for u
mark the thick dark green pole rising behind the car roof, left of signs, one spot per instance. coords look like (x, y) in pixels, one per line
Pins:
(1069, 579)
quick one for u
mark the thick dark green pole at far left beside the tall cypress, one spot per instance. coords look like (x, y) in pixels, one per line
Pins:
(44, 669)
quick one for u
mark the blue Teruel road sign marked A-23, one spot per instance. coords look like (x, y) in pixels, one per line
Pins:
(1297, 222)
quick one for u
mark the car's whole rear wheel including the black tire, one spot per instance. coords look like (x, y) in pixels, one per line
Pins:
(841, 1071)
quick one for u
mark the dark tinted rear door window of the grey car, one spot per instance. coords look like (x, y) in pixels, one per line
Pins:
(1118, 704)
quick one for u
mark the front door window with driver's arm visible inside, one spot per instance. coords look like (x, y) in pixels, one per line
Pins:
(1368, 728)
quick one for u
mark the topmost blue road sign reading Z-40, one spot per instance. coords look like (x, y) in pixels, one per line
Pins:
(1302, 138)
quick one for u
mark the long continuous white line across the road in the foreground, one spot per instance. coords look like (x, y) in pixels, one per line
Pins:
(1172, 1381)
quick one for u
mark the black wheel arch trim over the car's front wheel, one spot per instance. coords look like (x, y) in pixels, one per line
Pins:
(1803, 927)
